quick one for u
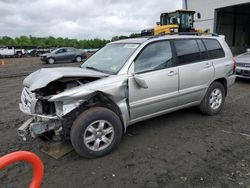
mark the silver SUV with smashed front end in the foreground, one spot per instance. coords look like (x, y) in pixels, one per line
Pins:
(125, 82)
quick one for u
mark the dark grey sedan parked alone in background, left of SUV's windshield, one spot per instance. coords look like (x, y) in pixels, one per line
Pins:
(64, 55)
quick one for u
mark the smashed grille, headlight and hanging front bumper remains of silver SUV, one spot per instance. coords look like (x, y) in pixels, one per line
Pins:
(43, 121)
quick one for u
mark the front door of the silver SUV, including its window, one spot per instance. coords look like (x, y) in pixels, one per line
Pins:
(156, 67)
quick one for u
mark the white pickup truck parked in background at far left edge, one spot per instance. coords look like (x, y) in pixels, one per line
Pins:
(10, 51)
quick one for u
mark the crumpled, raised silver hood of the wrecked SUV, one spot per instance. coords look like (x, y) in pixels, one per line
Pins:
(44, 76)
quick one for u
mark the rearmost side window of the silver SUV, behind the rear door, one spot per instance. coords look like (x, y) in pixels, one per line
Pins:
(214, 48)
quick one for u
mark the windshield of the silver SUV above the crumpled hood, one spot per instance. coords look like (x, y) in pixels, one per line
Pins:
(111, 58)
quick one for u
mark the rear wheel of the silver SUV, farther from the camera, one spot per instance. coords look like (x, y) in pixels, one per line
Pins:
(214, 99)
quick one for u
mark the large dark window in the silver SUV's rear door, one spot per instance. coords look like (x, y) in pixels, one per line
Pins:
(187, 51)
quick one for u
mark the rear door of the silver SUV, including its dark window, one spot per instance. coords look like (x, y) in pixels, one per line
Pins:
(196, 71)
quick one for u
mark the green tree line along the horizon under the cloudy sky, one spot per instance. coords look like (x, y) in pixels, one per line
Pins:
(48, 42)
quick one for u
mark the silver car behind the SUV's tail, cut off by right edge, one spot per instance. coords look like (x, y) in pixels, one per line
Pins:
(243, 65)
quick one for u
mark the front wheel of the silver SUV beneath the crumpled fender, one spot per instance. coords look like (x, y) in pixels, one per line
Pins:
(96, 132)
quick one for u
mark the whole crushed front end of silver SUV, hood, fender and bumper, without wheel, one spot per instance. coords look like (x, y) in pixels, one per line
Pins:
(55, 97)
